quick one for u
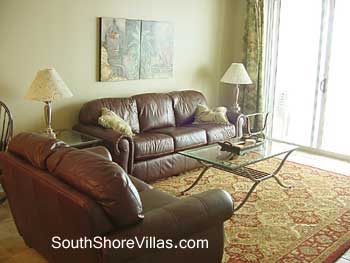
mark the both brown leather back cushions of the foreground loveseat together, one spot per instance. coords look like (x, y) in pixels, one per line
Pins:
(92, 174)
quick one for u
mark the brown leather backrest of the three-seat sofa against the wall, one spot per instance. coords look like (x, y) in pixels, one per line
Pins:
(148, 111)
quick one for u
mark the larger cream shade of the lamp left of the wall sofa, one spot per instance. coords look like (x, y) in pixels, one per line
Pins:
(48, 86)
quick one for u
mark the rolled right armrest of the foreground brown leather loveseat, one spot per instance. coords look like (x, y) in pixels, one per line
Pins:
(176, 221)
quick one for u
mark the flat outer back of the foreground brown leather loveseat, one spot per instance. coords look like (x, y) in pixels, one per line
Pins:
(43, 206)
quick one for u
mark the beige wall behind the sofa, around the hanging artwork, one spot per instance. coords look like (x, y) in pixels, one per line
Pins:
(36, 34)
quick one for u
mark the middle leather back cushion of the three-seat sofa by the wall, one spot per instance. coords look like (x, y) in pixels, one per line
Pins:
(155, 111)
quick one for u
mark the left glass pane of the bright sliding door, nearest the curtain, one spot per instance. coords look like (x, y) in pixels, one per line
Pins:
(299, 34)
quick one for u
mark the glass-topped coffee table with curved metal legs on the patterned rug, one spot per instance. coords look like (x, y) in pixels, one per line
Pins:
(211, 156)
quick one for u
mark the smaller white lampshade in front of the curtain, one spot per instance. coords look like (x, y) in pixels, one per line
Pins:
(236, 74)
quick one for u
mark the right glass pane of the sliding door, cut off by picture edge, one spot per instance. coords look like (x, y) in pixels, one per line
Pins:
(336, 126)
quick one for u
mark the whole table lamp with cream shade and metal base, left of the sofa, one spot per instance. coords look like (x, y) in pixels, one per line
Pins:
(47, 87)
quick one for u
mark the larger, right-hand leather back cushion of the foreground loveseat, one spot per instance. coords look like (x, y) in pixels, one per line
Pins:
(100, 179)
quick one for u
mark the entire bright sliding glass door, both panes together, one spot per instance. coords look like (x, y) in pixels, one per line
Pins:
(309, 85)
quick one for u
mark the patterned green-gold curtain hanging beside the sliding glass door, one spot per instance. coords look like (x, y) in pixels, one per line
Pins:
(251, 99)
